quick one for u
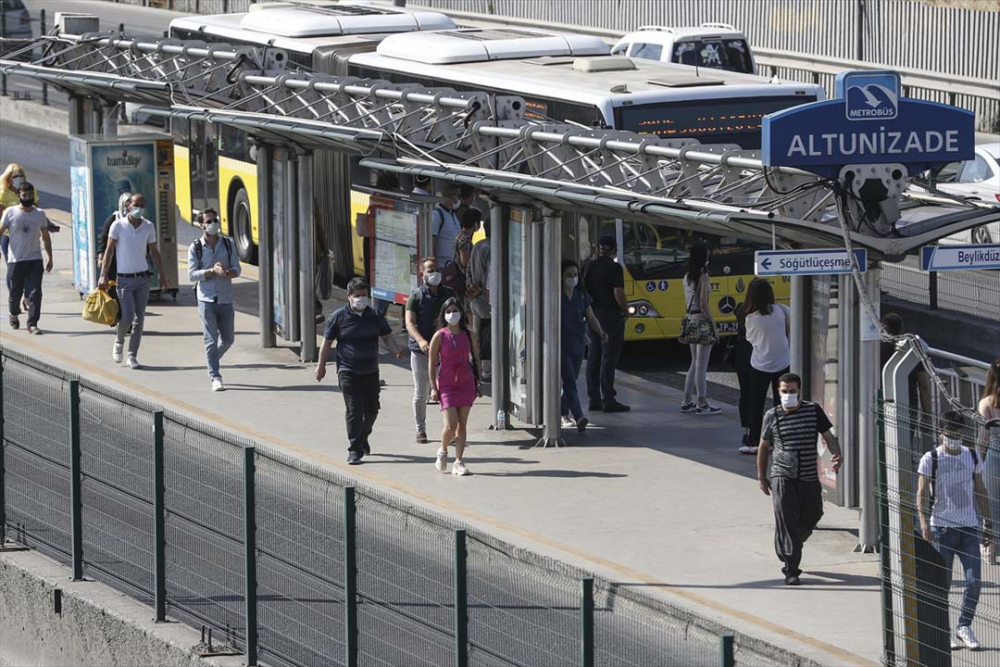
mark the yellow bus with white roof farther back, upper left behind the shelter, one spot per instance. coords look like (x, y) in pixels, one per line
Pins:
(215, 165)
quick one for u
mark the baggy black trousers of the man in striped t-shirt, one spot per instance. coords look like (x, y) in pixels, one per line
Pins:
(798, 507)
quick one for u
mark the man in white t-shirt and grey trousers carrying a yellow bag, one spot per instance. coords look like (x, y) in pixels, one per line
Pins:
(130, 239)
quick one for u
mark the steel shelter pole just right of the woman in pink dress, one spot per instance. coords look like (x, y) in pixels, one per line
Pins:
(499, 315)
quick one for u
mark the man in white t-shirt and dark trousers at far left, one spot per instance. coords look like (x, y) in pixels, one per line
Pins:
(28, 228)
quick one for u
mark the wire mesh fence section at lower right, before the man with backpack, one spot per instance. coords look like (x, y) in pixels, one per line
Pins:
(939, 574)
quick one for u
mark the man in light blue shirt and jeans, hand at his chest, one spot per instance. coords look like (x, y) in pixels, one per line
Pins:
(212, 265)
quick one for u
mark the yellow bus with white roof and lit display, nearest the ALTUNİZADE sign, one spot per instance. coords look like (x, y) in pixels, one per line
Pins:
(566, 78)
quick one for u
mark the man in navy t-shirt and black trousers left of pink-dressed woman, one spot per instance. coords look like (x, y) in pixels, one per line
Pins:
(356, 328)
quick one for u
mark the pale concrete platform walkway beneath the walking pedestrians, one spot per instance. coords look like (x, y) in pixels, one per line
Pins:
(653, 498)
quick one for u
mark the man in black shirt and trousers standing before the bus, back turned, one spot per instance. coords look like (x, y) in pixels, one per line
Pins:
(604, 280)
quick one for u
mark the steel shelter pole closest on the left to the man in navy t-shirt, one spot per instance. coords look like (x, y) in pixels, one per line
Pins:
(307, 261)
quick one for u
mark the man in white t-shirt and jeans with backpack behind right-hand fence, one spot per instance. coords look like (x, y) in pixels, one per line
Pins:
(951, 498)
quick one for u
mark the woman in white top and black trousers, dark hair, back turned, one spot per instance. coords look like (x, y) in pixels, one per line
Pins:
(768, 324)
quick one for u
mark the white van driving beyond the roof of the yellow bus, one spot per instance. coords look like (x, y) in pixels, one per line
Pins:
(713, 45)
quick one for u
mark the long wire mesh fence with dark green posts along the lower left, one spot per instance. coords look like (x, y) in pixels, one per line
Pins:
(285, 562)
